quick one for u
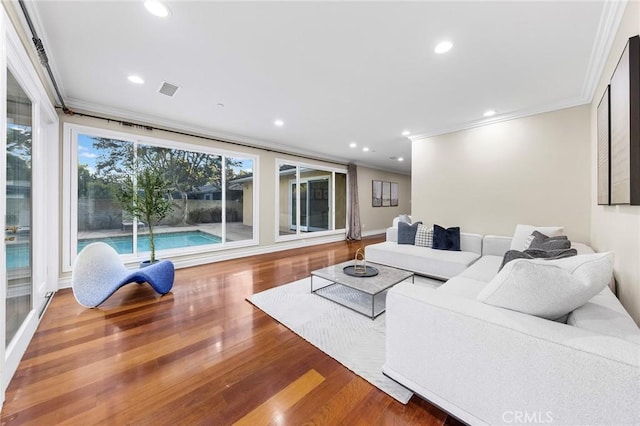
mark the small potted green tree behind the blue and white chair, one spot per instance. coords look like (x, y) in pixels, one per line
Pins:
(147, 199)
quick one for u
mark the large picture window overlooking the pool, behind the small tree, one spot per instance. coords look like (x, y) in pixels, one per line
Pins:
(211, 195)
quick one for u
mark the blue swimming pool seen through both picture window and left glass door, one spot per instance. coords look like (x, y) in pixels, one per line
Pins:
(18, 255)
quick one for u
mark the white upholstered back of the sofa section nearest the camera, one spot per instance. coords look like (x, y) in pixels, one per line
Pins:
(485, 364)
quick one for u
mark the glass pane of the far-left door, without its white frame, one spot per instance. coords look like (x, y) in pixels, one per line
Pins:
(18, 240)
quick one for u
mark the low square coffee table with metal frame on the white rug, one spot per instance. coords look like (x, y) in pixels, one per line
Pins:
(365, 295)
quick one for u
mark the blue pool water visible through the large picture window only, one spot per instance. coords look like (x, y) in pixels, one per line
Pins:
(163, 241)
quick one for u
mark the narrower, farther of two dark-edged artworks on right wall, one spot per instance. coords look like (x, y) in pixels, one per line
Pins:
(604, 147)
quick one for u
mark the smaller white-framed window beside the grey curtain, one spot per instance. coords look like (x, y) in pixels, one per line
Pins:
(311, 200)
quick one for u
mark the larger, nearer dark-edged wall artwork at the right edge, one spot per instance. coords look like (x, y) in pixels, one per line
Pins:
(624, 110)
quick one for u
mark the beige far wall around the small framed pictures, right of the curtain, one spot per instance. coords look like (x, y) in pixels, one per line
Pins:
(375, 220)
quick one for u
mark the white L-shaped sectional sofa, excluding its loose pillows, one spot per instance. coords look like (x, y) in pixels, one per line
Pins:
(489, 365)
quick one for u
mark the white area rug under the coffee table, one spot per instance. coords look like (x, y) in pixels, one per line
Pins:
(357, 342)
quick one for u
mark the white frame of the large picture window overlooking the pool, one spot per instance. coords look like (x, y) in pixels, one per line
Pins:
(71, 131)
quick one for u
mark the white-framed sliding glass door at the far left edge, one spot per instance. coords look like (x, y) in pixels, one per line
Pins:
(29, 175)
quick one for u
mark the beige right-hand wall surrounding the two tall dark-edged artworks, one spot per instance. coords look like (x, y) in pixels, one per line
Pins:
(617, 228)
